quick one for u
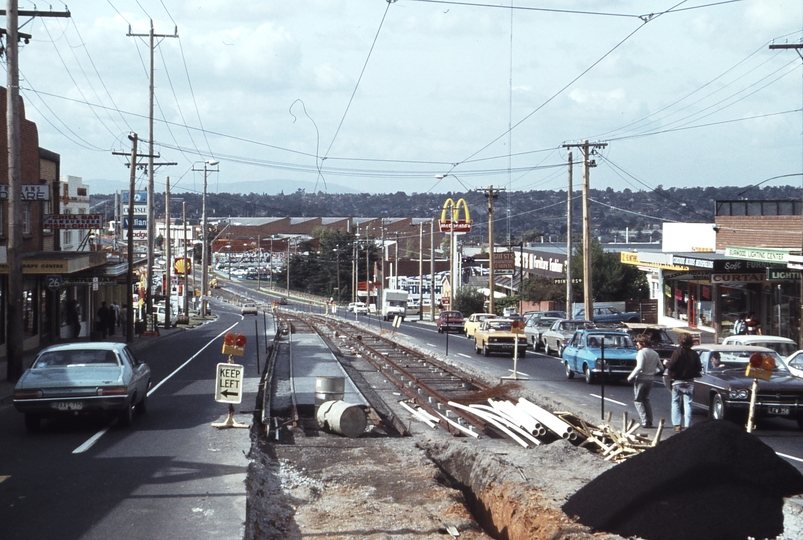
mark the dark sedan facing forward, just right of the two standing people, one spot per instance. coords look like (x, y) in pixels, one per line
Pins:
(725, 391)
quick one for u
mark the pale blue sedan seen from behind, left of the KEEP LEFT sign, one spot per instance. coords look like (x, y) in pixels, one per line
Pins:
(82, 378)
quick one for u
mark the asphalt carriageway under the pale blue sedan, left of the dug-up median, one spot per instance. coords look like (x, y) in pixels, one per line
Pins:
(169, 475)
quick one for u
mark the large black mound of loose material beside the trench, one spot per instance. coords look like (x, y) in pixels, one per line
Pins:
(711, 481)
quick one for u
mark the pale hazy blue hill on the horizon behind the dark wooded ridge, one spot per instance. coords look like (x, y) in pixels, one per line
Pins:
(267, 187)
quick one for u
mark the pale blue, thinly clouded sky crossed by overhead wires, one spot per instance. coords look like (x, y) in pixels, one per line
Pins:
(379, 97)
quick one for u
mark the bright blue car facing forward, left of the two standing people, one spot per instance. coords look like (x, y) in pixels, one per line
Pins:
(584, 354)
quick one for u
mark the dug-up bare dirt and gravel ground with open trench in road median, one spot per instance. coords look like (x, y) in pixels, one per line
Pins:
(711, 481)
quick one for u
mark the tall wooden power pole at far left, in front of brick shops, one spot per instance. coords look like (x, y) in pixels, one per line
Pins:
(15, 327)
